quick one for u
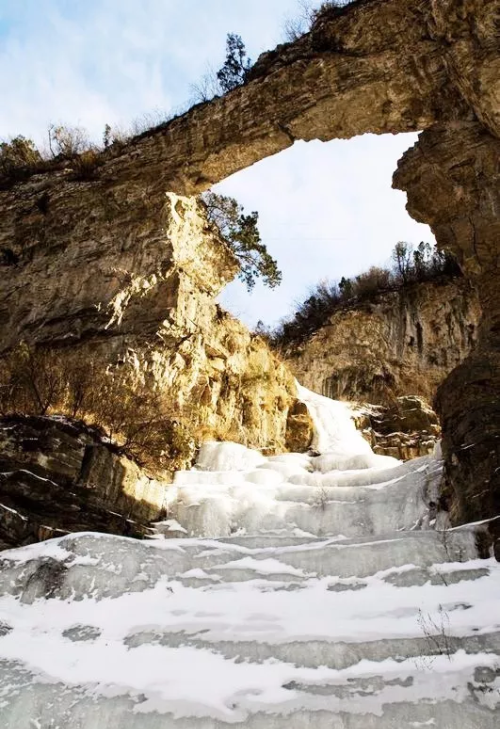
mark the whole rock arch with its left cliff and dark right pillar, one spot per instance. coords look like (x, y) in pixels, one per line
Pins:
(380, 66)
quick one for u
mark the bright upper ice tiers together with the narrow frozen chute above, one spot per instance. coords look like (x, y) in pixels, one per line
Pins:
(235, 490)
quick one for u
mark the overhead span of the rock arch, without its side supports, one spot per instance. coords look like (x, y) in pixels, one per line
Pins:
(380, 66)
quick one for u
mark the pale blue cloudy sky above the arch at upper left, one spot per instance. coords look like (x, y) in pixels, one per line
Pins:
(110, 61)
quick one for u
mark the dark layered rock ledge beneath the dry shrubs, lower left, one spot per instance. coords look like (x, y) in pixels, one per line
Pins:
(58, 476)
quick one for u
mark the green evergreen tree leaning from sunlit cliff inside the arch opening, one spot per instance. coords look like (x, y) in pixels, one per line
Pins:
(242, 235)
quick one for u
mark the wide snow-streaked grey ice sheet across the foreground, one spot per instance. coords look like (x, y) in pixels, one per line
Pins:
(207, 647)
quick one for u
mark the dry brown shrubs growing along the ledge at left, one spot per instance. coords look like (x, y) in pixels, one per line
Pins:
(138, 420)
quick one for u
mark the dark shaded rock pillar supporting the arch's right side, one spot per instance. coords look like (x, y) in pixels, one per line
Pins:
(452, 177)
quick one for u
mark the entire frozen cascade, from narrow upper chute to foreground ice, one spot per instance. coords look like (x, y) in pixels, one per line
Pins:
(306, 591)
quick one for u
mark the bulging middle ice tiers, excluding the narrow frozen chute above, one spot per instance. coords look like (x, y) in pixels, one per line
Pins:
(278, 495)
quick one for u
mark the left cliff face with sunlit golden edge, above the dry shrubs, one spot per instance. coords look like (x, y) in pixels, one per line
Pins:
(130, 281)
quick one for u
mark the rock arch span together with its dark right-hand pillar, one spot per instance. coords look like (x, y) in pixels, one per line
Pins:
(380, 66)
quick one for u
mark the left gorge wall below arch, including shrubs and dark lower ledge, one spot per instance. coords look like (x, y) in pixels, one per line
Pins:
(103, 286)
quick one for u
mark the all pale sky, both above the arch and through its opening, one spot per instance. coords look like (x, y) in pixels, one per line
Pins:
(326, 210)
